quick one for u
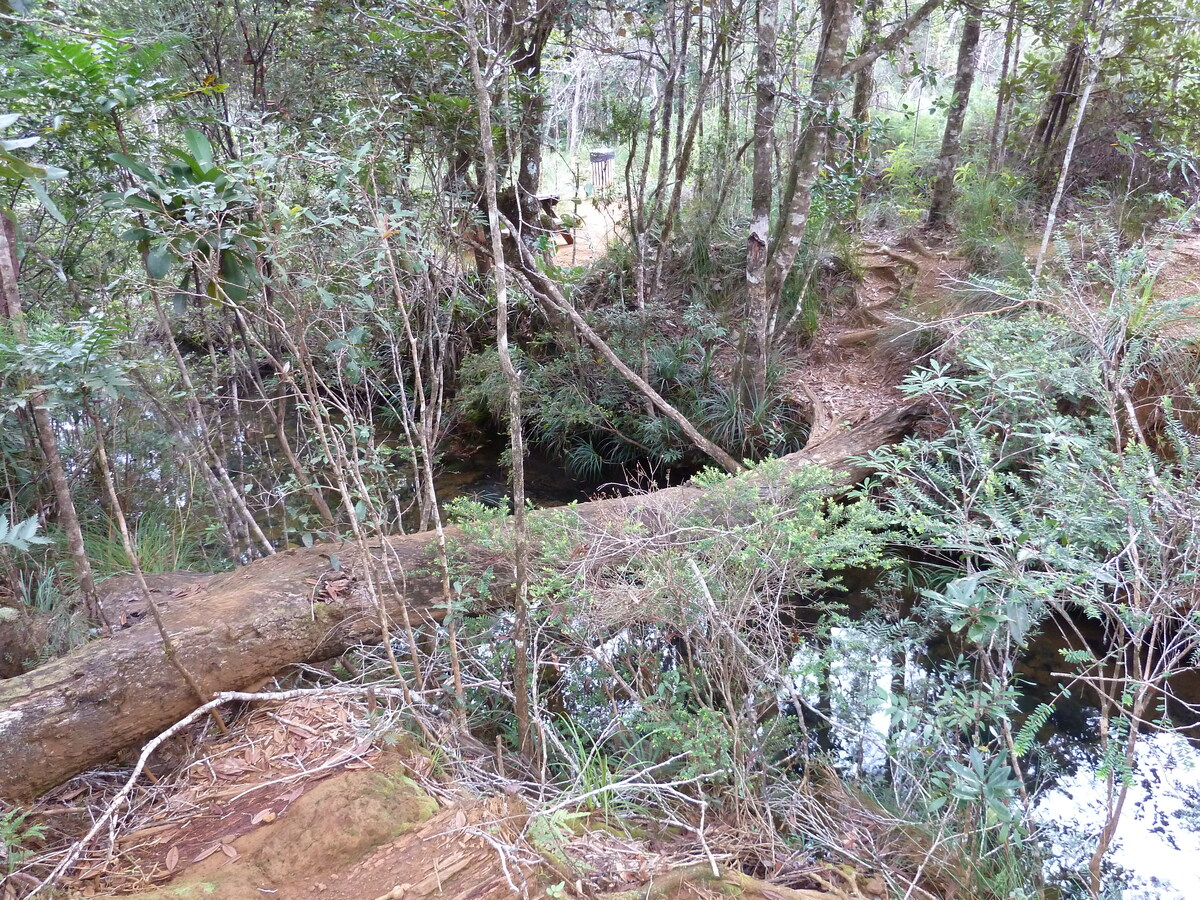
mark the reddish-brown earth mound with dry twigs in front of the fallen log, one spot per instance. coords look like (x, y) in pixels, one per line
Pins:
(297, 803)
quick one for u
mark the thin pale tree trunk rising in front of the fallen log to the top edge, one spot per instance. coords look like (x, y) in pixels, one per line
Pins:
(500, 273)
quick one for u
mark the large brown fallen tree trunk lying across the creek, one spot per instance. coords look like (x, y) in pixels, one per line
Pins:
(237, 629)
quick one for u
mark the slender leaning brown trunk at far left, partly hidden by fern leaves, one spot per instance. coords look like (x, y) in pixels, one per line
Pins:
(47, 439)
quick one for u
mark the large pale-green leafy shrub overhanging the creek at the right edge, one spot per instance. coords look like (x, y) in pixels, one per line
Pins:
(1035, 412)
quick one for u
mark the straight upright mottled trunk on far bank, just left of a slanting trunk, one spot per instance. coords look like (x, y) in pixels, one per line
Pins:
(754, 359)
